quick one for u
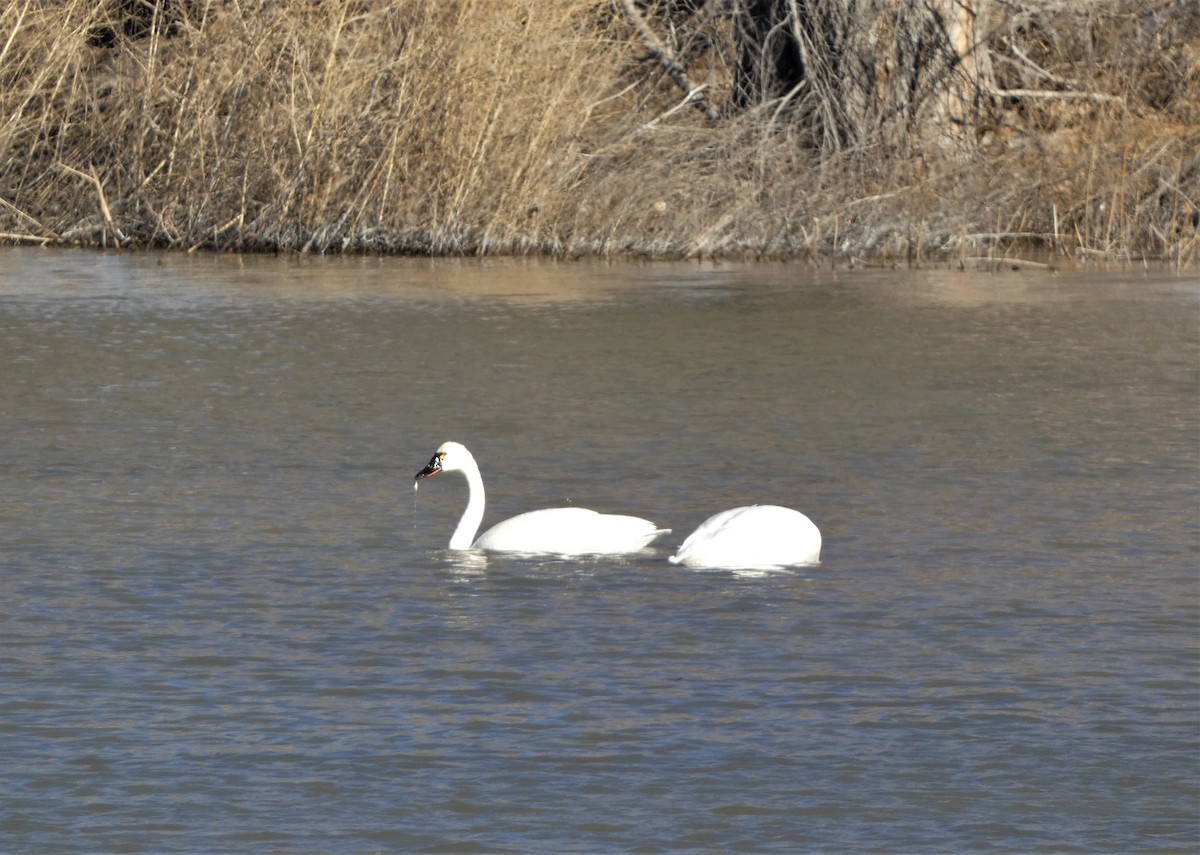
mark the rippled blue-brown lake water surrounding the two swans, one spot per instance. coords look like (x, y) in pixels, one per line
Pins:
(227, 623)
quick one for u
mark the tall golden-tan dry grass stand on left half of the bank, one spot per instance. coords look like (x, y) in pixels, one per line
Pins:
(419, 127)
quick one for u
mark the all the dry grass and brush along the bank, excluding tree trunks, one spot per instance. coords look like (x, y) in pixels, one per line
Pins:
(521, 127)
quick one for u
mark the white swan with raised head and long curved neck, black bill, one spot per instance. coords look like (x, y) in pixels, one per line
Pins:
(556, 531)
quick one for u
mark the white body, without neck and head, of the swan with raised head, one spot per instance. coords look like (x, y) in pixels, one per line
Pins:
(569, 531)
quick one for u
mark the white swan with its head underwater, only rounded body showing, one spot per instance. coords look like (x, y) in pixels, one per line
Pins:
(753, 537)
